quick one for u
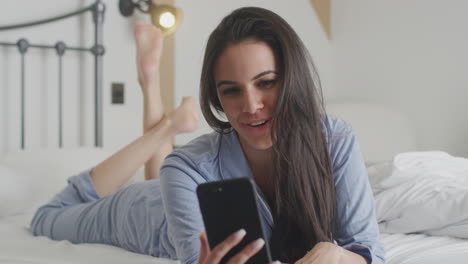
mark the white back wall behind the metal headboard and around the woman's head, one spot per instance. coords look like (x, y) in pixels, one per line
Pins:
(122, 123)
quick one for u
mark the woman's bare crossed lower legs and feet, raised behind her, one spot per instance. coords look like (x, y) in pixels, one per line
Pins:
(153, 147)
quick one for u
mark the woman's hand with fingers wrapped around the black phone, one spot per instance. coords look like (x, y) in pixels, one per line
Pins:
(214, 256)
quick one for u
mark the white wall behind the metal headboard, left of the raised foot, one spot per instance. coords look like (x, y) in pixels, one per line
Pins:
(122, 123)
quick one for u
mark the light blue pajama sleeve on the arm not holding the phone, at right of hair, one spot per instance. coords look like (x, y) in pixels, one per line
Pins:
(356, 222)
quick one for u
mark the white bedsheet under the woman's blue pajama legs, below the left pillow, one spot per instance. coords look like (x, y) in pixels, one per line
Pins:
(17, 245)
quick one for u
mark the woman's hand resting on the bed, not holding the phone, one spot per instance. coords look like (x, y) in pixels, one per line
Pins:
(323, 253)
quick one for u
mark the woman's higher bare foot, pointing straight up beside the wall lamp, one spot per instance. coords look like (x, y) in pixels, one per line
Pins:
(149, 45)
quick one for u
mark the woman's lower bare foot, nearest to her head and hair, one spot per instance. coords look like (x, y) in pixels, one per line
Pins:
(185, 117)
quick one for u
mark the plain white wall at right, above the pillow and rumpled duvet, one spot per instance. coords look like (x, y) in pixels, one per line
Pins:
(411, 55)
